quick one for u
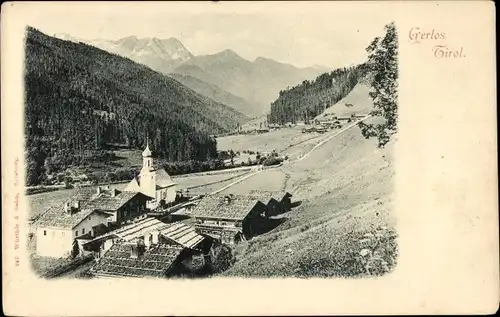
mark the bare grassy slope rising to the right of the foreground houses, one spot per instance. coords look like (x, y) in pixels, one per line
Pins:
(345, 187)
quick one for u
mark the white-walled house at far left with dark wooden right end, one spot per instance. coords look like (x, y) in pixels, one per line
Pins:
(82, 217)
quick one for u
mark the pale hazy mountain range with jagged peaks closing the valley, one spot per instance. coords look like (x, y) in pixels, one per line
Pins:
(226, 77)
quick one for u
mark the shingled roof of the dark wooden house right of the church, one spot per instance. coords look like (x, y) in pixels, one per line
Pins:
(214, 206)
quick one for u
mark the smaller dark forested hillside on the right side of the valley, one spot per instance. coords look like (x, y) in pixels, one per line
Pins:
(309, 99)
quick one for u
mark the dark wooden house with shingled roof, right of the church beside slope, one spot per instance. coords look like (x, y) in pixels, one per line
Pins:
(229, 218)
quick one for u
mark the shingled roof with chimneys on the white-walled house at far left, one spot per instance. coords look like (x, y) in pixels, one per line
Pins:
(89, 201)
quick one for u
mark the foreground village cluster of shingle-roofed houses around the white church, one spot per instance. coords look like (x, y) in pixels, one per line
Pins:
(151, 229)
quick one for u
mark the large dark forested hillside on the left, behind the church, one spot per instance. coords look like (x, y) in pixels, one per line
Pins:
(79, 99)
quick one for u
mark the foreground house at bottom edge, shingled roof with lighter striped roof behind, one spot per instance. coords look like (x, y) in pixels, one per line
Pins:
(150, 248)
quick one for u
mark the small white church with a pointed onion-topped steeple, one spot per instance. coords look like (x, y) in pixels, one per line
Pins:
(153, 182)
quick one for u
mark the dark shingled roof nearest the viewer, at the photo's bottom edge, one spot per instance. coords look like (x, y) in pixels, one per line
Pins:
(155, 262)
